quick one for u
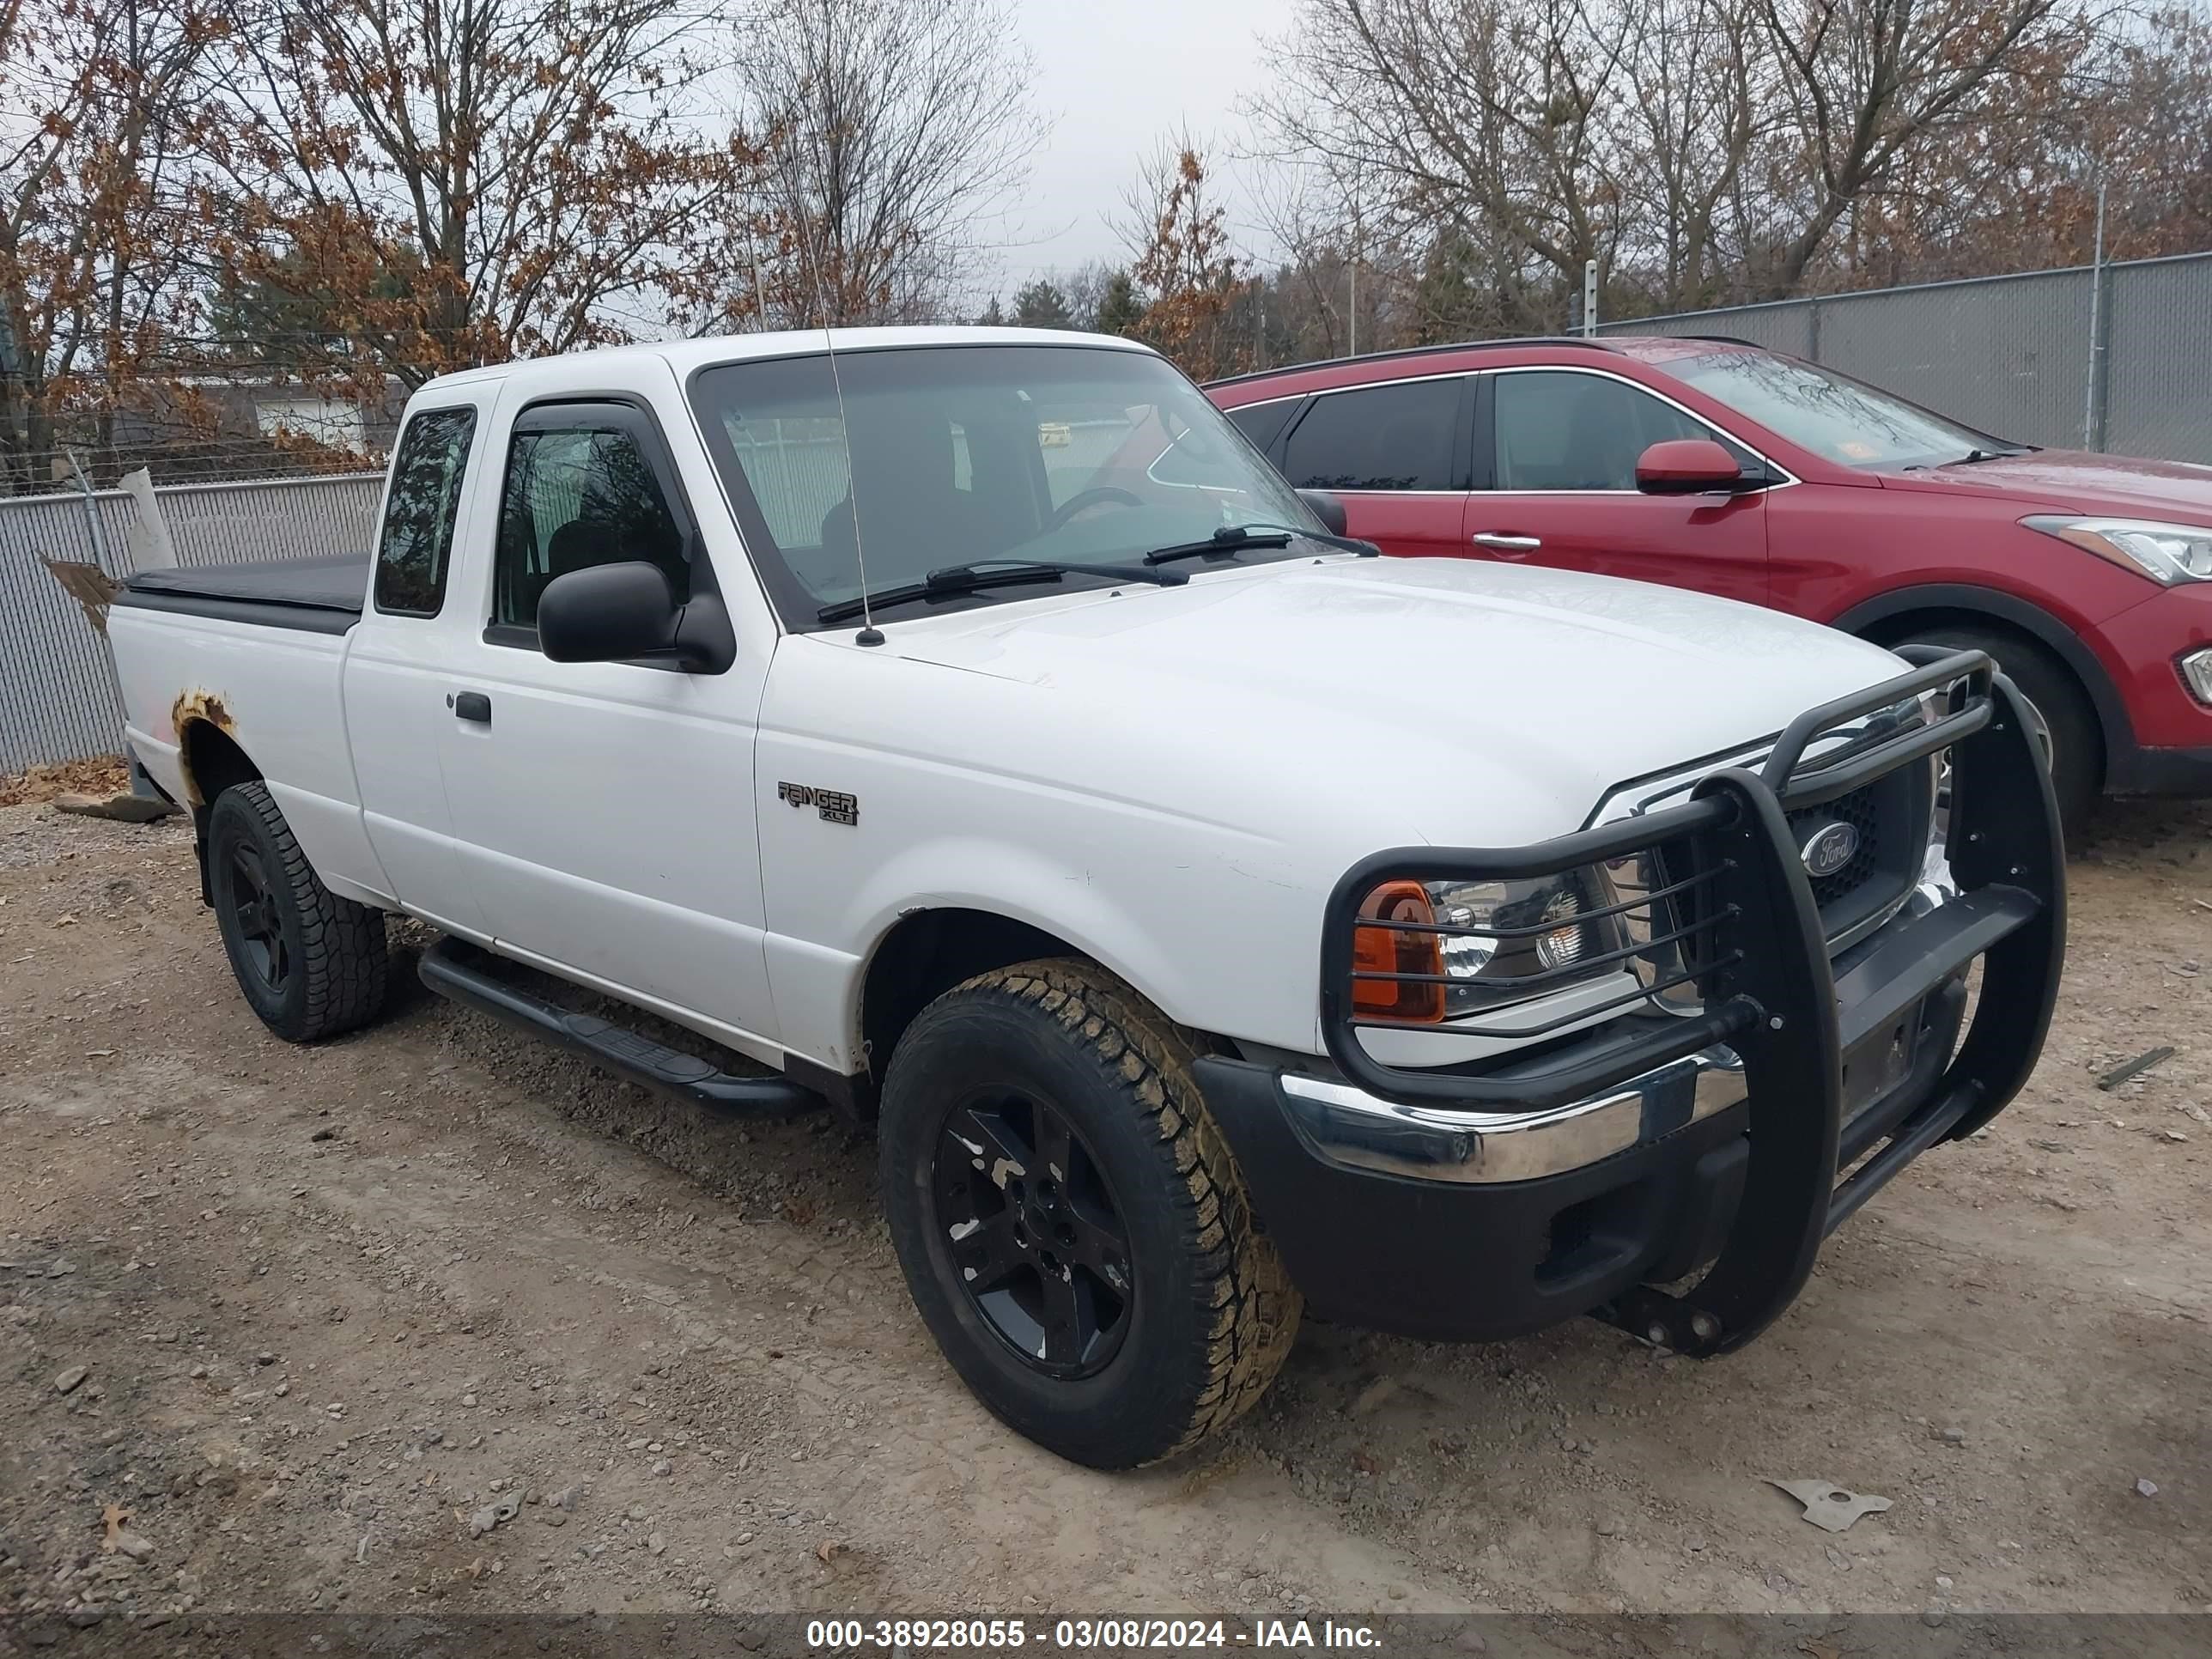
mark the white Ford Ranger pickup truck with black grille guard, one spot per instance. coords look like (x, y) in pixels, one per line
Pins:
(970, 731)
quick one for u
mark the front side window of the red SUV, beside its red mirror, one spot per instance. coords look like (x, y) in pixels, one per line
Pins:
(1563, 430)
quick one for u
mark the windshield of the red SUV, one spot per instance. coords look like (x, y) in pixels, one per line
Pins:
(1826, 413)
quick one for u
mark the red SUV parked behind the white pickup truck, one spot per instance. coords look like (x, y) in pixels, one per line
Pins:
(1724, 468)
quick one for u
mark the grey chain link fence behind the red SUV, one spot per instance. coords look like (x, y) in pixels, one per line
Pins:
(2103, 357)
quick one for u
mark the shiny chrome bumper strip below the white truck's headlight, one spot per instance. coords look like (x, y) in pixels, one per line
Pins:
(1359, 1131)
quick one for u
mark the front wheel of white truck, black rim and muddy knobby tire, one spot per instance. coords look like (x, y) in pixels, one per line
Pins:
(1070, 1220)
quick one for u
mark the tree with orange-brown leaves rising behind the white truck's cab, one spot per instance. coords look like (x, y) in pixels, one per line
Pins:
(450, 182)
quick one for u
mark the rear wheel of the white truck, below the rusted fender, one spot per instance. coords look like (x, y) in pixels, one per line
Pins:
(309, 961)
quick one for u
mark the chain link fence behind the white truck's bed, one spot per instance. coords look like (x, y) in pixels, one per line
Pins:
(56, 678)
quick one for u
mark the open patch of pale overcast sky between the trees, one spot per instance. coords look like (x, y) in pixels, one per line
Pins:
(1114, 81)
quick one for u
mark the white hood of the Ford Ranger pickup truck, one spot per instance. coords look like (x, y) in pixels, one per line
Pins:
(1481, 700)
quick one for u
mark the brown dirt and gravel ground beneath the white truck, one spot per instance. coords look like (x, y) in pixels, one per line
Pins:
(432, 1315)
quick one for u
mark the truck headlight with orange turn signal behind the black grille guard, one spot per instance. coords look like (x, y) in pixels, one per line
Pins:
(1468, 946)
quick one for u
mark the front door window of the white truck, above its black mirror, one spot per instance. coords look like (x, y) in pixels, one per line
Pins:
(578, 497)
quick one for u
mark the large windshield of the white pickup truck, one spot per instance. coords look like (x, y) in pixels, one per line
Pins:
(950, 455)
